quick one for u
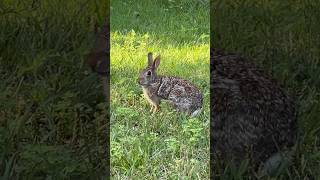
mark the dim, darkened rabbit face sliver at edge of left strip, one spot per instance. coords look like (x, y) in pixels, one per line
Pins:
(98, 57)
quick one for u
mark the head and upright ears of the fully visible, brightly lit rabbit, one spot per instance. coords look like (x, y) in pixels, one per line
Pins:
(148, 75)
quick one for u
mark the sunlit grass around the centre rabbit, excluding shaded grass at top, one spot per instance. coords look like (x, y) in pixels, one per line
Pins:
(166, 144)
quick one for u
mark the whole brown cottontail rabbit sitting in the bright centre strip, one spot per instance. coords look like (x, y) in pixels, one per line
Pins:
(180, 93)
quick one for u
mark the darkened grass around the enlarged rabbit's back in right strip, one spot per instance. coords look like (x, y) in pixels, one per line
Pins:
(283, 37)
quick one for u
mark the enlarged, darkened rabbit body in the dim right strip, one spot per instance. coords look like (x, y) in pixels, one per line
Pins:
(252, 118)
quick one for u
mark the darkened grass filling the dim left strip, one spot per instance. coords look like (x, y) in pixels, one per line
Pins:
(52, 116)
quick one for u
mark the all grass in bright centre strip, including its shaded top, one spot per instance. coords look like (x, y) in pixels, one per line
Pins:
(167, 144)
